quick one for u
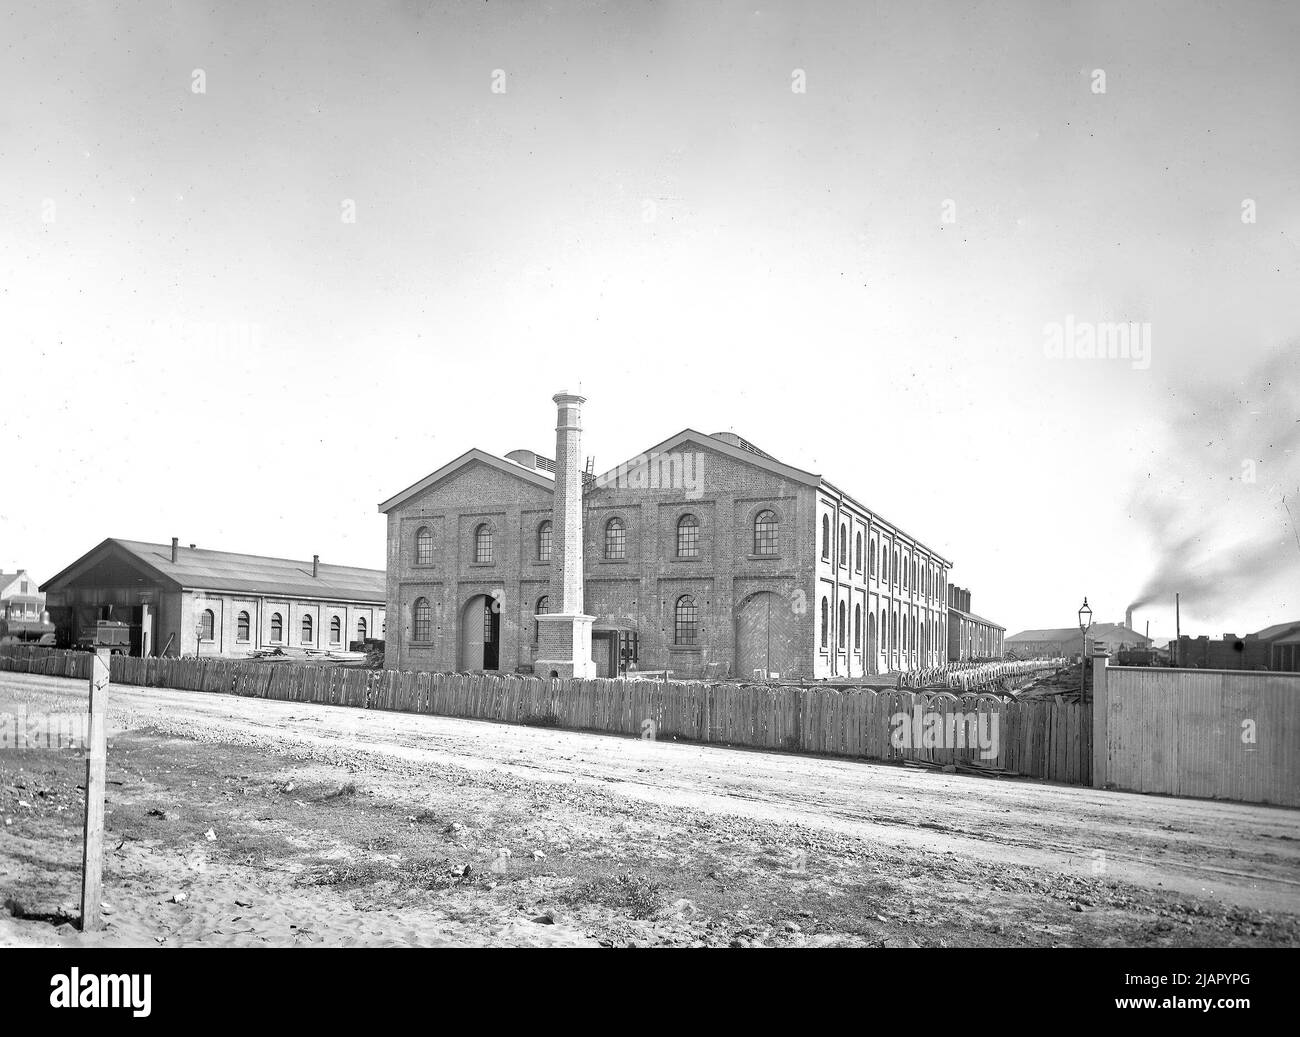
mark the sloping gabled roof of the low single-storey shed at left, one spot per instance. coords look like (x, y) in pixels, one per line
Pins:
(226, 571)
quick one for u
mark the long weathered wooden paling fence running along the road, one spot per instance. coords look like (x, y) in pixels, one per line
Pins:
(1035, 739)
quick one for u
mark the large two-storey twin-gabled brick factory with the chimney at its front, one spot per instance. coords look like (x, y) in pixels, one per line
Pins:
(705, 557)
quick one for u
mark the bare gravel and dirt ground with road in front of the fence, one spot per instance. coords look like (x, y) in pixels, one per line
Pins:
(246, 822)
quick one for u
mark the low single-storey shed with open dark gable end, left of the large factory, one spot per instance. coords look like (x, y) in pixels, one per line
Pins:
(189, 601)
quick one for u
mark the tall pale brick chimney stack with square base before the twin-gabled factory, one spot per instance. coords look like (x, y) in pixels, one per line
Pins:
(565, 635)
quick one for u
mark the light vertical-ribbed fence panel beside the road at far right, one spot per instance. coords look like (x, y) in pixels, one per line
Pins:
(1210, 734)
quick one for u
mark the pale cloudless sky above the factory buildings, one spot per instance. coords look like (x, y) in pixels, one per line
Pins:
(265, 267)
